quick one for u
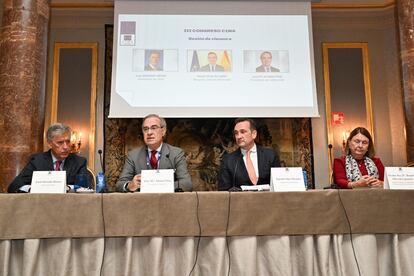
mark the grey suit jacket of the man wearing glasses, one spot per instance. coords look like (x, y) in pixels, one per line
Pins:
(171, 158)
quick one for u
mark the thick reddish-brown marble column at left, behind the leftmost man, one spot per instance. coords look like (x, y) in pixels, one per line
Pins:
(23, 49)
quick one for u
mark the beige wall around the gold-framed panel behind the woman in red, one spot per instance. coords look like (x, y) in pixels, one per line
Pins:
(378, 29)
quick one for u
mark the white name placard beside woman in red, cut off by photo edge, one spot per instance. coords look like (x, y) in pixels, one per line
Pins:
(399, 178)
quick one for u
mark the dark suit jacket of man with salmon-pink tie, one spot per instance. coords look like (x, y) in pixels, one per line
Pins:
(229, 174)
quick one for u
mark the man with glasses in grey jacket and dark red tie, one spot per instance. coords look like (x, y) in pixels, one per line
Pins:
(154, 155)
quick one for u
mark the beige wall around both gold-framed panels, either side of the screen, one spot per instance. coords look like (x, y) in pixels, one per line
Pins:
(375, 27)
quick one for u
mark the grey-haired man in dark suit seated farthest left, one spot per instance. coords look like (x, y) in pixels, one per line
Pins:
(57, 158)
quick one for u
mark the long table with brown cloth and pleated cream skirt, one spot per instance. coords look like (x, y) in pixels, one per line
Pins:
(318, 232)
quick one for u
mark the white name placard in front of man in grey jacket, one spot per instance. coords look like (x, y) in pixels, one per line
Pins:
(157, 181)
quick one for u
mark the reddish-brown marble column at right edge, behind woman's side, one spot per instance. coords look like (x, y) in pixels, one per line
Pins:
(406, 27)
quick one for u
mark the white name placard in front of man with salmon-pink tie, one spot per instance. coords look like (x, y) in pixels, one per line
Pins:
(287, 180)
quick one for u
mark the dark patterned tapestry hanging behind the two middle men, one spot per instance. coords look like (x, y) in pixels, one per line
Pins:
(204, 141)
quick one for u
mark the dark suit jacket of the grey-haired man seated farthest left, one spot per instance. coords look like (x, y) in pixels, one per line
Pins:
(73, 166)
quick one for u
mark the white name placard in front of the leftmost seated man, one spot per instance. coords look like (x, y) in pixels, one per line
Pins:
(48, 182)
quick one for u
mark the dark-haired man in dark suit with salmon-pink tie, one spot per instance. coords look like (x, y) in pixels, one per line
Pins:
(250, 164)
